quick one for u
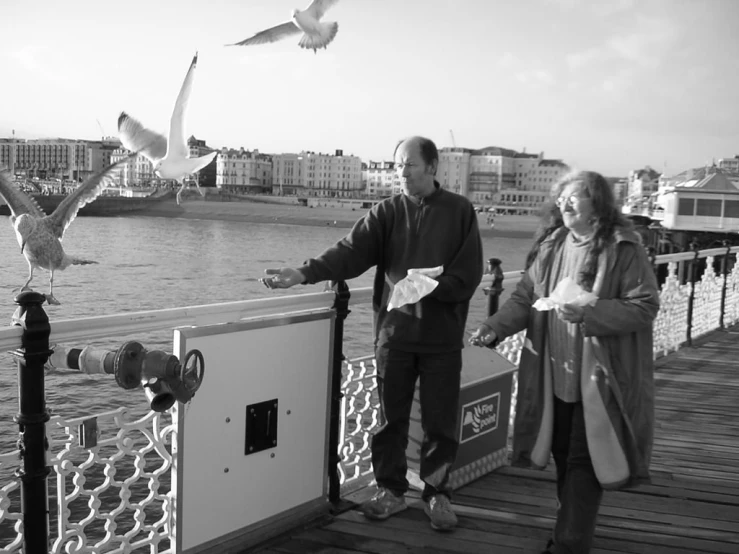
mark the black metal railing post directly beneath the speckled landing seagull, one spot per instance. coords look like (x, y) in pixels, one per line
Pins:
(31, 419)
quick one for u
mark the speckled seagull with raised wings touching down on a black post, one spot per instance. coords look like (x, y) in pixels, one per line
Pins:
(40, 235)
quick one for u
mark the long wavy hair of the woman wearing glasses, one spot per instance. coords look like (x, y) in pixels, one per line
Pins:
(606, 218)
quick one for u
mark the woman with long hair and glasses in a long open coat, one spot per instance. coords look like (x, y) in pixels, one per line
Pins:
(585, 383)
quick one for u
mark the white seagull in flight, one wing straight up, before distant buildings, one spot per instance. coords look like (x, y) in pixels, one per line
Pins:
(170, 157)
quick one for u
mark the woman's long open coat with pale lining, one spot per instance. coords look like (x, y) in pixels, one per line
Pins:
(617, 382)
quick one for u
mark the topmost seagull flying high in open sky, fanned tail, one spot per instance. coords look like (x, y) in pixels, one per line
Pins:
(315, 34)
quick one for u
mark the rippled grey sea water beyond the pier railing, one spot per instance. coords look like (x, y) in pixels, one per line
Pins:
(147, 263)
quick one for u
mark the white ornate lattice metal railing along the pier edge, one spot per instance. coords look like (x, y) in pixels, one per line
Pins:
(144, 444)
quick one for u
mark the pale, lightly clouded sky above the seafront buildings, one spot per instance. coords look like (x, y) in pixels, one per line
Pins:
(605, 85)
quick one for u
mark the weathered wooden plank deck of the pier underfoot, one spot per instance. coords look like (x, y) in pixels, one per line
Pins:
(691, 506)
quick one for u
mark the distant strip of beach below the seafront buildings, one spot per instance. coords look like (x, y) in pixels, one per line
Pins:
(507, 226)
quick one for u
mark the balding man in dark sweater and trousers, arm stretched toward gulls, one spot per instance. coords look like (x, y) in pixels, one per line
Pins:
(424, 227)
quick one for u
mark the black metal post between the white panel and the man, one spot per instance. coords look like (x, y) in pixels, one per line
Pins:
(341, 305)
